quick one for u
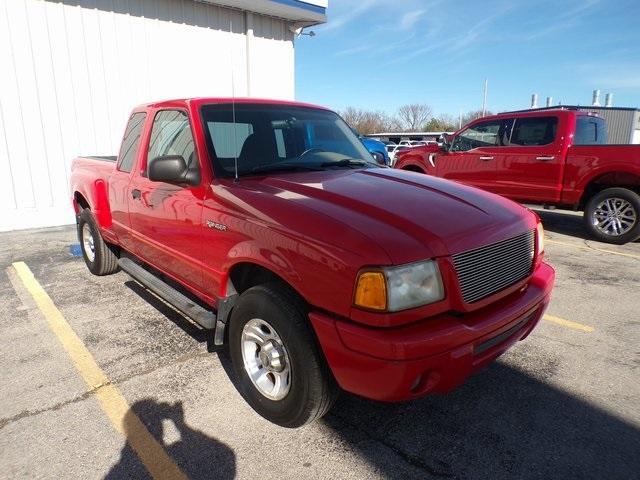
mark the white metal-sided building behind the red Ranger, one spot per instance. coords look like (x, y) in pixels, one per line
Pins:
(71, 70)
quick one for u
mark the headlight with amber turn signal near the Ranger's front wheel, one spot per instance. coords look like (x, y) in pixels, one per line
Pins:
(399, 288)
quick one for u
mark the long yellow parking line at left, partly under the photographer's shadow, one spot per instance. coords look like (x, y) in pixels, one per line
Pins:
(159, 464)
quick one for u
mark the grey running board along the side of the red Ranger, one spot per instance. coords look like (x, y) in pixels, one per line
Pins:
(203, 317)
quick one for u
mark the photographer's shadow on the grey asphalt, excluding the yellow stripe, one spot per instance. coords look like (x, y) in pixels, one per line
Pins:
(198, 455)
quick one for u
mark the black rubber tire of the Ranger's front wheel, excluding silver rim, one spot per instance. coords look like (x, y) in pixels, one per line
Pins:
(312, 389)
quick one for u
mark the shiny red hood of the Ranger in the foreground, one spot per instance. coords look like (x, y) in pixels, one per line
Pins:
(410, 216)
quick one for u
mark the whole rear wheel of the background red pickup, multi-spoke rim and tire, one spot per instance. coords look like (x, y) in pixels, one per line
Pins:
(613, 215)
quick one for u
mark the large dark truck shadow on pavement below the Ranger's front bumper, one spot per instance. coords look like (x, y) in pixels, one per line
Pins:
(502, 424)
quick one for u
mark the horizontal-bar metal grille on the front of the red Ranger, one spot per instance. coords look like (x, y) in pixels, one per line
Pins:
(489, 269)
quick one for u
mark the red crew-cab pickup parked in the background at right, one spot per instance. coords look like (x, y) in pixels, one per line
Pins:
(557, 157)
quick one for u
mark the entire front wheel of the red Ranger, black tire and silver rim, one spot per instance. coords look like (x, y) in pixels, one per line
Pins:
(281, 371)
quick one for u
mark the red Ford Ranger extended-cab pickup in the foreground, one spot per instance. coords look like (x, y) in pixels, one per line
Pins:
(269, 224)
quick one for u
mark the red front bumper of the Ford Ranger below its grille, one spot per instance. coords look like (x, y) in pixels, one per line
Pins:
(434, 355)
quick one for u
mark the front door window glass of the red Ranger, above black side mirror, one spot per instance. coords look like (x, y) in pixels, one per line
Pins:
(171, 135)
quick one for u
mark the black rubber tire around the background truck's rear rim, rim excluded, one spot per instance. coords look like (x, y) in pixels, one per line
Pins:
(591, 222)
